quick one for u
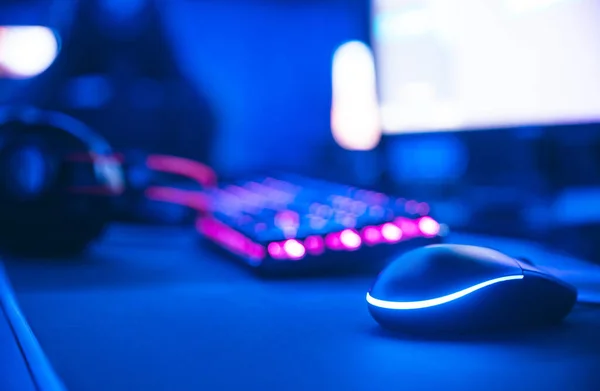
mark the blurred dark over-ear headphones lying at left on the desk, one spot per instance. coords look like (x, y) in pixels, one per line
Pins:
(57, 179)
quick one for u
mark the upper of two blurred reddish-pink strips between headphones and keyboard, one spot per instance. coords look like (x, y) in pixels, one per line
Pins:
(185, 167)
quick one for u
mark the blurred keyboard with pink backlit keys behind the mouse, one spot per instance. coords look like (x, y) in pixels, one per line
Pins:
(290, 222)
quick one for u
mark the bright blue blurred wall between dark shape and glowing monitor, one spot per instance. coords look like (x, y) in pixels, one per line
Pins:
(266, 66)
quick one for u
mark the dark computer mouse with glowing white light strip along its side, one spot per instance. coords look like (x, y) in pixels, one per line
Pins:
(454, 288)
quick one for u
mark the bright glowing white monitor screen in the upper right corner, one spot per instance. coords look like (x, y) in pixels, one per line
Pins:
(473, 64)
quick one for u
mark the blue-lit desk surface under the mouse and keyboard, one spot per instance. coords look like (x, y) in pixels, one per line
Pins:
(148, 309)
